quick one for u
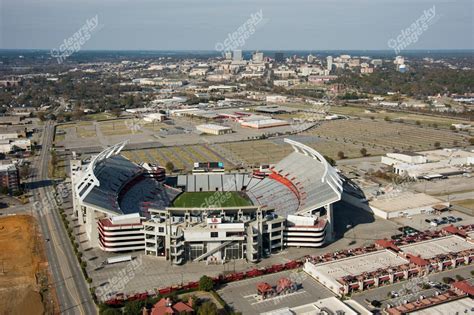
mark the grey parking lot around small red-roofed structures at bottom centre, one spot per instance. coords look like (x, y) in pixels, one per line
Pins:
(242, 295)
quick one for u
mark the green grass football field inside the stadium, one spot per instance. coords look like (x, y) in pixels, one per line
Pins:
(211, 199)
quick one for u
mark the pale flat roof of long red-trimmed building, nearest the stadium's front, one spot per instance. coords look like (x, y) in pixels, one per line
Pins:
(361, 263)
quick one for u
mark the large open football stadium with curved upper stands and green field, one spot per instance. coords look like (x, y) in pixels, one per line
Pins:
(208, 215)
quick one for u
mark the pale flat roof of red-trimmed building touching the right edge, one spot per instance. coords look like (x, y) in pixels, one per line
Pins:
(443, 245)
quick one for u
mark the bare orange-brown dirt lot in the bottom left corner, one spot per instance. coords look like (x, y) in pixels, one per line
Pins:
(23, 268)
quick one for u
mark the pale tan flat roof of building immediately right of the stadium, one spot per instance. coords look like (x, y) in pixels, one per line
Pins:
(405, 201)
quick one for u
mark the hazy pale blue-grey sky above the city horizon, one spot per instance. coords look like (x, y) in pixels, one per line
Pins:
(202, 24)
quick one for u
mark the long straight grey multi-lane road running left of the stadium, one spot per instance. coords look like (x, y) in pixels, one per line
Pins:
(71, 288)
